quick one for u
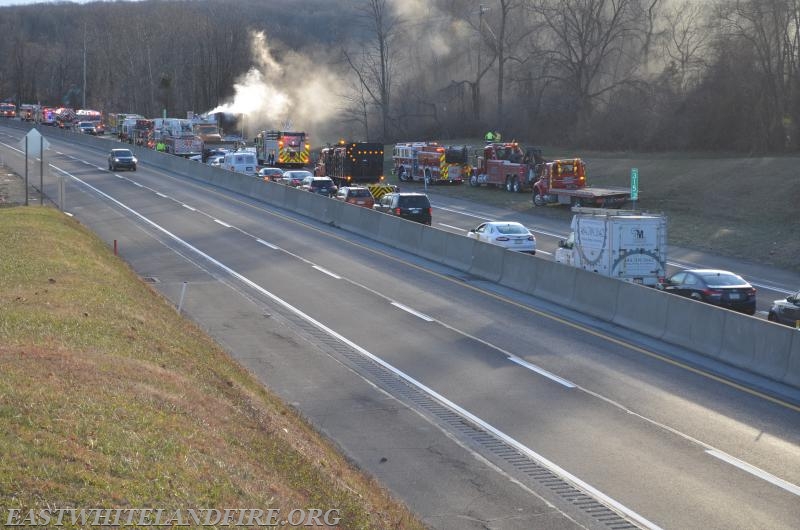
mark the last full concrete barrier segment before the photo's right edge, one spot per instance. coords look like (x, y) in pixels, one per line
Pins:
(755, 345)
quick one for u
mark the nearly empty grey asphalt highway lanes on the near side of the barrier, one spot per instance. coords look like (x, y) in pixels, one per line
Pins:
(661, 443)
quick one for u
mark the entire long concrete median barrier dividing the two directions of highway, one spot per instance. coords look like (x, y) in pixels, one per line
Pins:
(754, 345)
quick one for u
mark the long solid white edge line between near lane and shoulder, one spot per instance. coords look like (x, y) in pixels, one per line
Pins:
(444, 401)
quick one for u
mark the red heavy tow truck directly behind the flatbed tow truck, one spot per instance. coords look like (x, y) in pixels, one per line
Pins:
(506, 165)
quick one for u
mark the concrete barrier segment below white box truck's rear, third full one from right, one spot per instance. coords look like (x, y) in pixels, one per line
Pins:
(641, 309)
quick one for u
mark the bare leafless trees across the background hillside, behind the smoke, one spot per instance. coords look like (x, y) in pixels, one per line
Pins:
(605, 74)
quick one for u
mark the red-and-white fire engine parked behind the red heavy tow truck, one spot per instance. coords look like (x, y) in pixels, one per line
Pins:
(431, 162)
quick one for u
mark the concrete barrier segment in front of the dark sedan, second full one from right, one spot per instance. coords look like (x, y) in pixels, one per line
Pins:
(694, 325)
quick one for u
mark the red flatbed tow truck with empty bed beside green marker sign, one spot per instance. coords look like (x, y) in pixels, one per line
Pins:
(564, 182)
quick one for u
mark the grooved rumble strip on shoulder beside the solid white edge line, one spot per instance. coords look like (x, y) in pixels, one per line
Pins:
(477, 437)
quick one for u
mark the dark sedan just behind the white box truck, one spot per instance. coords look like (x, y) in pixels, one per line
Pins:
(717, 287)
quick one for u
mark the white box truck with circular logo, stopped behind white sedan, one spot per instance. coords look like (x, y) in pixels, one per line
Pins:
(623, 244)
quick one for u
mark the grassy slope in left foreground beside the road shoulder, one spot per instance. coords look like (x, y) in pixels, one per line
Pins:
(109, 399)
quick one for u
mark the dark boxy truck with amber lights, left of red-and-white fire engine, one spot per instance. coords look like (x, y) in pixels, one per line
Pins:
(351, 162)
